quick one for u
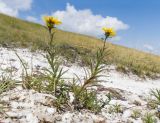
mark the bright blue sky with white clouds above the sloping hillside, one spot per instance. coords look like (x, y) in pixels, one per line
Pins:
(140, 19)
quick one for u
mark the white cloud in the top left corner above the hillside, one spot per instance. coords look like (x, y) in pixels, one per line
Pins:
(12, 7)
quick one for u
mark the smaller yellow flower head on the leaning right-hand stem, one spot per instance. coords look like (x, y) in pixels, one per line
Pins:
(109, 32)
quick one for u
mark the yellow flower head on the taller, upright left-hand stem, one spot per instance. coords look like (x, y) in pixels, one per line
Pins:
(51, 21)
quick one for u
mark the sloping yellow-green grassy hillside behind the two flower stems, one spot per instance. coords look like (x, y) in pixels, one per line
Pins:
(26, 34)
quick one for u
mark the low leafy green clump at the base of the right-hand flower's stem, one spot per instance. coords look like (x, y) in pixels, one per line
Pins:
(87, 99)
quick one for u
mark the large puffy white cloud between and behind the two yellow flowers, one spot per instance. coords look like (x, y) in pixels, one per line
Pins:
(85, 22)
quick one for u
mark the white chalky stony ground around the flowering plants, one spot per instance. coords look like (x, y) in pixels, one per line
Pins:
(28, 106)
